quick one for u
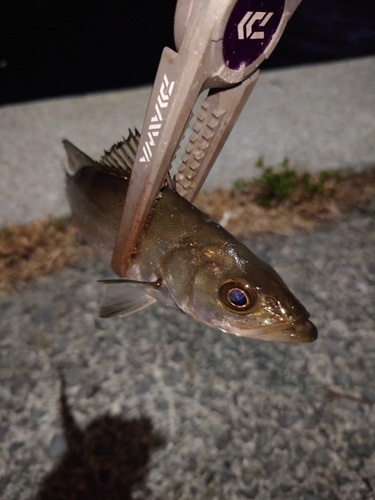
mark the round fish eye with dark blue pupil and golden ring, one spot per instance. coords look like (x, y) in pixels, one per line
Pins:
(237, 296)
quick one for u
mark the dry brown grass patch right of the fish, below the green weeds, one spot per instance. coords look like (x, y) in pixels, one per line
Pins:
(239, 212)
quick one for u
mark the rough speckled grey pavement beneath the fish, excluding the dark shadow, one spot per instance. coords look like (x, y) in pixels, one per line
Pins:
(240, 418)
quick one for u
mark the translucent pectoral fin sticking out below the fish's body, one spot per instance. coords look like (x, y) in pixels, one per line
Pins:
(124, 297)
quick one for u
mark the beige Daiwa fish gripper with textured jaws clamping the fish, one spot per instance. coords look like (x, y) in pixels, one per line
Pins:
(220, 45)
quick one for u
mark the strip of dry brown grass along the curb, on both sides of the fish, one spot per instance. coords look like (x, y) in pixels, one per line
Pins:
(45, 246)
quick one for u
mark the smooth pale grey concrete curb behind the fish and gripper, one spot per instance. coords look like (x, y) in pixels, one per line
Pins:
(318, 116)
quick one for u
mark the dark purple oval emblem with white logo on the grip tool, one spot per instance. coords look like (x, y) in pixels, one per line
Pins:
(250, 29)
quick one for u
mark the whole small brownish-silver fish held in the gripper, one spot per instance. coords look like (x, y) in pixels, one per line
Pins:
(183, 258)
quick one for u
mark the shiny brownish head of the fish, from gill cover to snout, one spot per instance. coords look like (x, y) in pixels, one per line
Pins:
(229, 288)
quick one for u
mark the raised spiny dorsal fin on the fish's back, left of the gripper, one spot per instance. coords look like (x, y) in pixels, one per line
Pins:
(121, 156)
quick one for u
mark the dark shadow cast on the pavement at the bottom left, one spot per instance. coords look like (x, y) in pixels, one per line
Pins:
(103, 461)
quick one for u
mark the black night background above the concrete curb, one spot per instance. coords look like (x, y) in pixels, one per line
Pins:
(52, 47)
